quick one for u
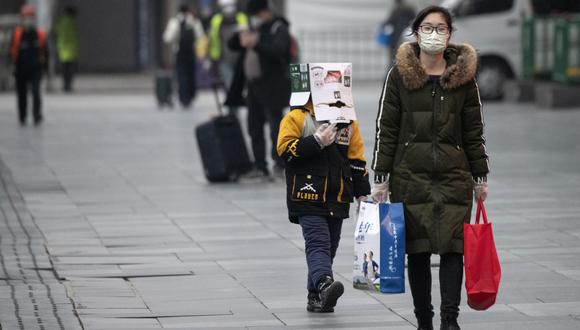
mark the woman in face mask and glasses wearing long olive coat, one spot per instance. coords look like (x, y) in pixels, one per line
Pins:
(430, 154)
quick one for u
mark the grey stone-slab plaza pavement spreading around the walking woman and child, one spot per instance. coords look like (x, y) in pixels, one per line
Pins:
(138, 239)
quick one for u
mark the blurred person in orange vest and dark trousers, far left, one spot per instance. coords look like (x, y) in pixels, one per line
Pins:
(30, 57)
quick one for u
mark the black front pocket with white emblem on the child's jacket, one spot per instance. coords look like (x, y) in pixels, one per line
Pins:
(309, 187)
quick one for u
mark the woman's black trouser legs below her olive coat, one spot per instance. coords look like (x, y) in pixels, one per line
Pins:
(450, 279)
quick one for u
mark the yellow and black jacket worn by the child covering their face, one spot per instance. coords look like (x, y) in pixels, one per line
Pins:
(321, 181)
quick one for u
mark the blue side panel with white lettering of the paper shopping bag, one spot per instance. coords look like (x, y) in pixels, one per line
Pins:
(392, 265)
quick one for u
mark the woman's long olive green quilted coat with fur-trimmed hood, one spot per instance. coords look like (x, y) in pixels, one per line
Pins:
(430, 141)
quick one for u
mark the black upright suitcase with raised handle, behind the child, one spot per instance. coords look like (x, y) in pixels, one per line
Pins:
(222, 147)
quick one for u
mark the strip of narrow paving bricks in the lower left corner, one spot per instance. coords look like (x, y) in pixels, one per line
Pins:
(31, 297)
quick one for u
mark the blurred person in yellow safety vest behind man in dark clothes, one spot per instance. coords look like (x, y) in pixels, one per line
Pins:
(223, 26)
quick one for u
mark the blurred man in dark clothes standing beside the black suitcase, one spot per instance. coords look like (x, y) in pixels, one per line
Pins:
(266, 57)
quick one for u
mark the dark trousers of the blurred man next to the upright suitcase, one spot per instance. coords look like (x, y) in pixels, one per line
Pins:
(260, 113)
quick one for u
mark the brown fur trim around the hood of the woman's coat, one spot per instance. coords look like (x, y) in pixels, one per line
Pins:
(461, 66)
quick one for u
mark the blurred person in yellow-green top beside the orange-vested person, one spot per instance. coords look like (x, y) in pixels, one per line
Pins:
(67, 44)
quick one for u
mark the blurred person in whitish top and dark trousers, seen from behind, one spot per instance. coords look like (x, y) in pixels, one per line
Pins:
(184, 31)
